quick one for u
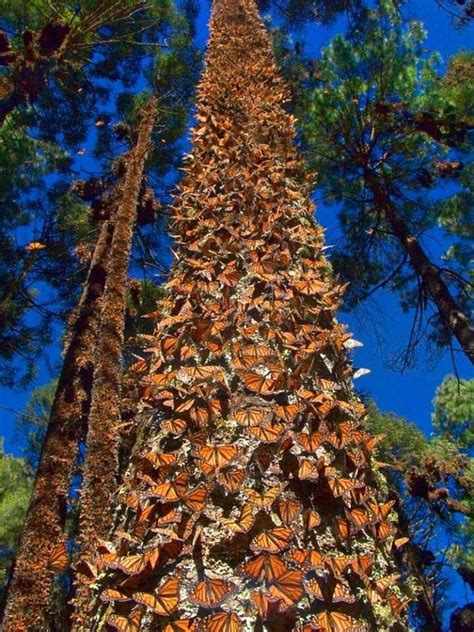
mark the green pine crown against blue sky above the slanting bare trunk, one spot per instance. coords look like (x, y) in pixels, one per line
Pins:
(380, 106)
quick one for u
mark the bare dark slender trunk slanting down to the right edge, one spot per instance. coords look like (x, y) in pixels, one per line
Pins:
(452, 316)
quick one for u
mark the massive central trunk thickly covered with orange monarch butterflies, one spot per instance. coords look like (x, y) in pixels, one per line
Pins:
(251, 501)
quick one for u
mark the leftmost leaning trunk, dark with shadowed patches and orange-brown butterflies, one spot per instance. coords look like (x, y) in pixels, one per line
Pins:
(30, 587)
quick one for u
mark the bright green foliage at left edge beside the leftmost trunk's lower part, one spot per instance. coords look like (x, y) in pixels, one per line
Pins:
(15, 487)
